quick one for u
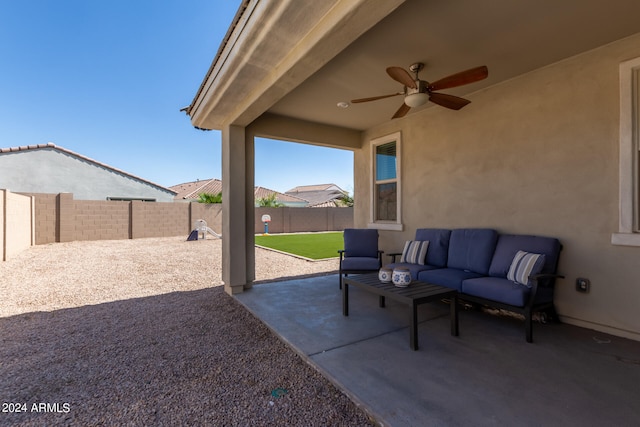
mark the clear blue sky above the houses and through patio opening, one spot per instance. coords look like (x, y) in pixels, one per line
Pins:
(107, 79)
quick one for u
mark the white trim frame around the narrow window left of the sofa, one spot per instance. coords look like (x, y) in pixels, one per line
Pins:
(386, 225)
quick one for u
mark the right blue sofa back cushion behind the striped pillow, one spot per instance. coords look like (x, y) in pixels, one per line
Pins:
(509, 244)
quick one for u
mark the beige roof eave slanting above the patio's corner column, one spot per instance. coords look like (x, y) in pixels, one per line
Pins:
(253, 69)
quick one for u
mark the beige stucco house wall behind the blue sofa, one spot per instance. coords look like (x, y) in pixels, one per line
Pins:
(534, 155)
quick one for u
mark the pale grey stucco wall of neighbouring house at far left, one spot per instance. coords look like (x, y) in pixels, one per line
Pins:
(48, 170)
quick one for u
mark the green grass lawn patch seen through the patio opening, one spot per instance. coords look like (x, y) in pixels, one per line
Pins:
(308, 245)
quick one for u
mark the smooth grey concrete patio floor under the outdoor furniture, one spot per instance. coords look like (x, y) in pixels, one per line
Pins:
(489, 375)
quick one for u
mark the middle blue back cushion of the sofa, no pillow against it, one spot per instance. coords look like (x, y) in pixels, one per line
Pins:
(472, 249)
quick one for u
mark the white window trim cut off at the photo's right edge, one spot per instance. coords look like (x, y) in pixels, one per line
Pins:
(627, 234)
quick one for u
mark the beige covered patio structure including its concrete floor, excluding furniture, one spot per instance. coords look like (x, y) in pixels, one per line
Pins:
(549, 146)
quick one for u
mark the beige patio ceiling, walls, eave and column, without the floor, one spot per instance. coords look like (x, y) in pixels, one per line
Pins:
(548, 146)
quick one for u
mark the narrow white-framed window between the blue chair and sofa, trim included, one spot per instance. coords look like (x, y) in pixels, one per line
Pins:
(385, 191)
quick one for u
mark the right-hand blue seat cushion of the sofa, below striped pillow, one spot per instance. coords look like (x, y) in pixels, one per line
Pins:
(497, 289)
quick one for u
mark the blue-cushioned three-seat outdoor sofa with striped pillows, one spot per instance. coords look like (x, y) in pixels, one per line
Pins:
(504, 271)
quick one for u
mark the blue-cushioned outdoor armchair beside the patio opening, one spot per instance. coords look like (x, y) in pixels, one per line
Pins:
(360, 253)
